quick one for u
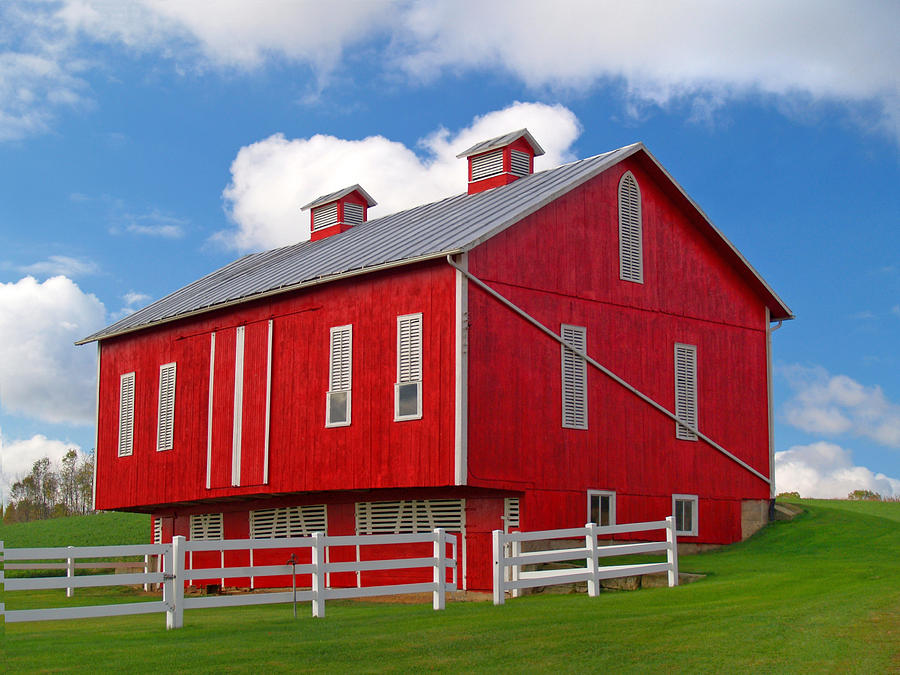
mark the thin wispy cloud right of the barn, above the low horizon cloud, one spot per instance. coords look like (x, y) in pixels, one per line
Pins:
(838, 404)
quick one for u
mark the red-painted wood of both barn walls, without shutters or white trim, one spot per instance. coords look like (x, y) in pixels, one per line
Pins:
(561, 265)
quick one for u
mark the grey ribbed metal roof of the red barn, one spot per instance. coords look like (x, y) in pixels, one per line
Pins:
(449, 226)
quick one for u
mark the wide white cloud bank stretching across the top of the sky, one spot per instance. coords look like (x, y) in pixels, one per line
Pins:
(702, 52)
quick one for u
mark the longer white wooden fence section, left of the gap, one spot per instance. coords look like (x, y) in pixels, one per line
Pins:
(176, 575)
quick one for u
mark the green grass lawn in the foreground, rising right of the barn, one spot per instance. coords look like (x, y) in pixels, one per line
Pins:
(819, 594)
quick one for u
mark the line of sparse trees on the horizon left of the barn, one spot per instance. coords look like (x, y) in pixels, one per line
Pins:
(52, 491)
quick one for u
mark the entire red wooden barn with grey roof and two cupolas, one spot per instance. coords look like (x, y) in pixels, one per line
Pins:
(414, 371)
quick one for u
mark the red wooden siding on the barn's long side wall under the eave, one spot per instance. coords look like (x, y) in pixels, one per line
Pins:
(374, 451)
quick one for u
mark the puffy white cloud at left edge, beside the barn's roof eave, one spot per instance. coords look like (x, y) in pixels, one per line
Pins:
(42, 374)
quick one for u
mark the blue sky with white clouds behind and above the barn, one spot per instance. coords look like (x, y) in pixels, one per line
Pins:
(145, 144)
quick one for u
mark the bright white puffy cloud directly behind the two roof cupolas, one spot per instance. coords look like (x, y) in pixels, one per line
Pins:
(273, 178)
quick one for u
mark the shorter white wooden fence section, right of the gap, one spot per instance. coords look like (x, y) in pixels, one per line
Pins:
(508, 555)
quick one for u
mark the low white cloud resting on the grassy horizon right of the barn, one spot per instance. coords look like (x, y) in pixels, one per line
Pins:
(826, 471)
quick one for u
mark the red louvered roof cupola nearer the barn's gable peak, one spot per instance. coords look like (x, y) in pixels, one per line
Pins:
(501, 160)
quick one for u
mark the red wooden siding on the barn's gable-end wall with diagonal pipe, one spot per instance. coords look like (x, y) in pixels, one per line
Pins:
(562, 266)
